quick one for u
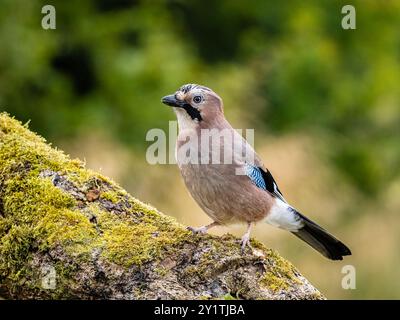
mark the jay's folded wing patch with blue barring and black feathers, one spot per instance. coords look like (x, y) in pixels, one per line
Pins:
(264, 180)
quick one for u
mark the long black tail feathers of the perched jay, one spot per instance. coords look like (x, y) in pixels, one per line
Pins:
(321, 240)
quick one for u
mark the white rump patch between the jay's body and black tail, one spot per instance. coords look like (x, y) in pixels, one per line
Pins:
(283, 216)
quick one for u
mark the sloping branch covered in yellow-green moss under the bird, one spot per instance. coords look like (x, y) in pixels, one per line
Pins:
(90, 239)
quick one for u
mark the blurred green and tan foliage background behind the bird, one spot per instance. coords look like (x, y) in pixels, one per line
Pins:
(325, 104)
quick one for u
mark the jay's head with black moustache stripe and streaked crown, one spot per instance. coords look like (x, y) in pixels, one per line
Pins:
(195, 105)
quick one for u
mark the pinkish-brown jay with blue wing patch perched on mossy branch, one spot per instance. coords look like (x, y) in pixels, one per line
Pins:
(239, 190)
